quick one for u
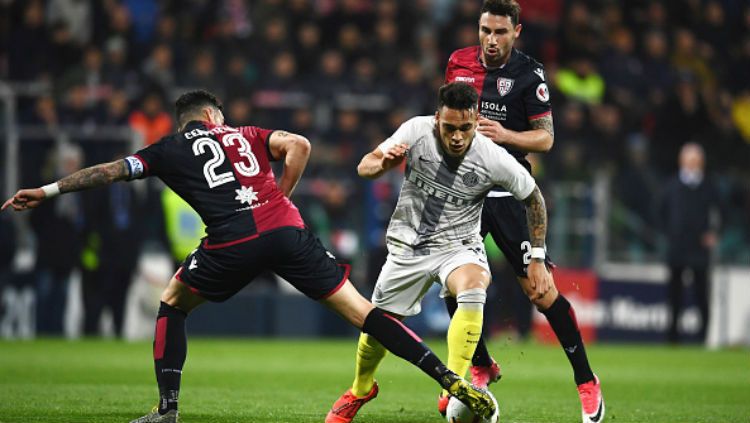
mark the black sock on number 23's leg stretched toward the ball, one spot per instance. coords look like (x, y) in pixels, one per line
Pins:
(401, 341)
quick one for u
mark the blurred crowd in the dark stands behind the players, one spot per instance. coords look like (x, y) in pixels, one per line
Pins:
(631, 83)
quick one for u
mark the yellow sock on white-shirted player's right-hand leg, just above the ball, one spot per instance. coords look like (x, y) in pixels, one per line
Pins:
(463, 335)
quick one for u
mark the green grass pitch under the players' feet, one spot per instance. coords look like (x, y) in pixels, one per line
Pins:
(257, 380)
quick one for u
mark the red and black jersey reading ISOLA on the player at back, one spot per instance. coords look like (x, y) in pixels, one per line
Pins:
(513, 94)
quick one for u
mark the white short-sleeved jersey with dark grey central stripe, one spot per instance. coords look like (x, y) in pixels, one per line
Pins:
(439, 207)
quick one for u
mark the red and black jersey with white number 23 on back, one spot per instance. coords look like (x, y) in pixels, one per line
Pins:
(224, 173)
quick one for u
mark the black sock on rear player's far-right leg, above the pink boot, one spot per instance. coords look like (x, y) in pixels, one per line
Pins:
(561, 317)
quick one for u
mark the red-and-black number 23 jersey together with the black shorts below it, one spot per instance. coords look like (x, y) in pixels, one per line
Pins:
(224, 173)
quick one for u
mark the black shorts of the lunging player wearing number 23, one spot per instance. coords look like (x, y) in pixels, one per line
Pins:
(295, 254)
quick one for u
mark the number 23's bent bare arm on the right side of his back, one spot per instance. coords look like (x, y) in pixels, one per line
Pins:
(295, 150)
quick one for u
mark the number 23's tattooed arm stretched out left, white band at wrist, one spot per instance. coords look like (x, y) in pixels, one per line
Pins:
(90, 177)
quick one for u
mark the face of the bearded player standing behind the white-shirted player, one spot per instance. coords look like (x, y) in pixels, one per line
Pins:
(496, 36)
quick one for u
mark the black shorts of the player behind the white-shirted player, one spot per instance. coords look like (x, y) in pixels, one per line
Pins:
(505, 219)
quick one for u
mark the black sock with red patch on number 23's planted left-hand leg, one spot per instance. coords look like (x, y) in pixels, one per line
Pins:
(170, 350)
